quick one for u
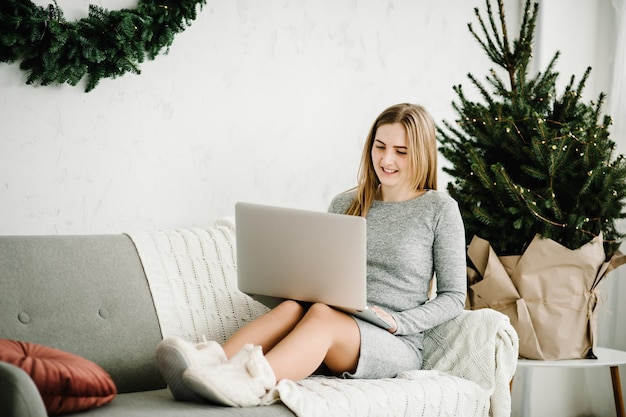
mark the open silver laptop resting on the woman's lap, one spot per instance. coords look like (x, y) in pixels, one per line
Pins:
(285, 253)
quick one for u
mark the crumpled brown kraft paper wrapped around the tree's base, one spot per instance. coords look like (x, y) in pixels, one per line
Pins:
(550, 293)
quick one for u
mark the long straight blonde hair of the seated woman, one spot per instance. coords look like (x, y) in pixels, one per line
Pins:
(422, 151)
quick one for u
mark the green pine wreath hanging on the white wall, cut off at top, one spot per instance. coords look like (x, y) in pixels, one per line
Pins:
(105, 44)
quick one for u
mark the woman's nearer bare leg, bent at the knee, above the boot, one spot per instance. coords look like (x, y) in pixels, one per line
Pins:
(323, 335)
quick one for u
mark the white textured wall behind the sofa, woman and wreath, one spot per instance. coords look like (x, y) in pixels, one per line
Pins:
(259, 101)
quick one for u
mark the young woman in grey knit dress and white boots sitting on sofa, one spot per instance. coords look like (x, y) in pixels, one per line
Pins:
(413, 233)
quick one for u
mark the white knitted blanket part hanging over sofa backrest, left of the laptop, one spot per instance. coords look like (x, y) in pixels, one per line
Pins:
(193, 279)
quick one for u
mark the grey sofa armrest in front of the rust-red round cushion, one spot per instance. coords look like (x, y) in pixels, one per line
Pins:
(19, 396)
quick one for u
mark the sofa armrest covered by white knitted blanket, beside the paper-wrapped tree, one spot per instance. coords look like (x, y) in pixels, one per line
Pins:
(478, 345)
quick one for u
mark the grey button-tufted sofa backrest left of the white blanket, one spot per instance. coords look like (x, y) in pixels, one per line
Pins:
(85, 294)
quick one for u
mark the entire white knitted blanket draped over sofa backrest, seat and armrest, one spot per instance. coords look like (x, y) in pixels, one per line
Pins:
(468, 361)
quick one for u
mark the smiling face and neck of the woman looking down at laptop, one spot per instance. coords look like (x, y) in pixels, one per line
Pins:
(391, 162)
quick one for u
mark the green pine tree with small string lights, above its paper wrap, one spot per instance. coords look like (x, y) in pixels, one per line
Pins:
(527, 159)
